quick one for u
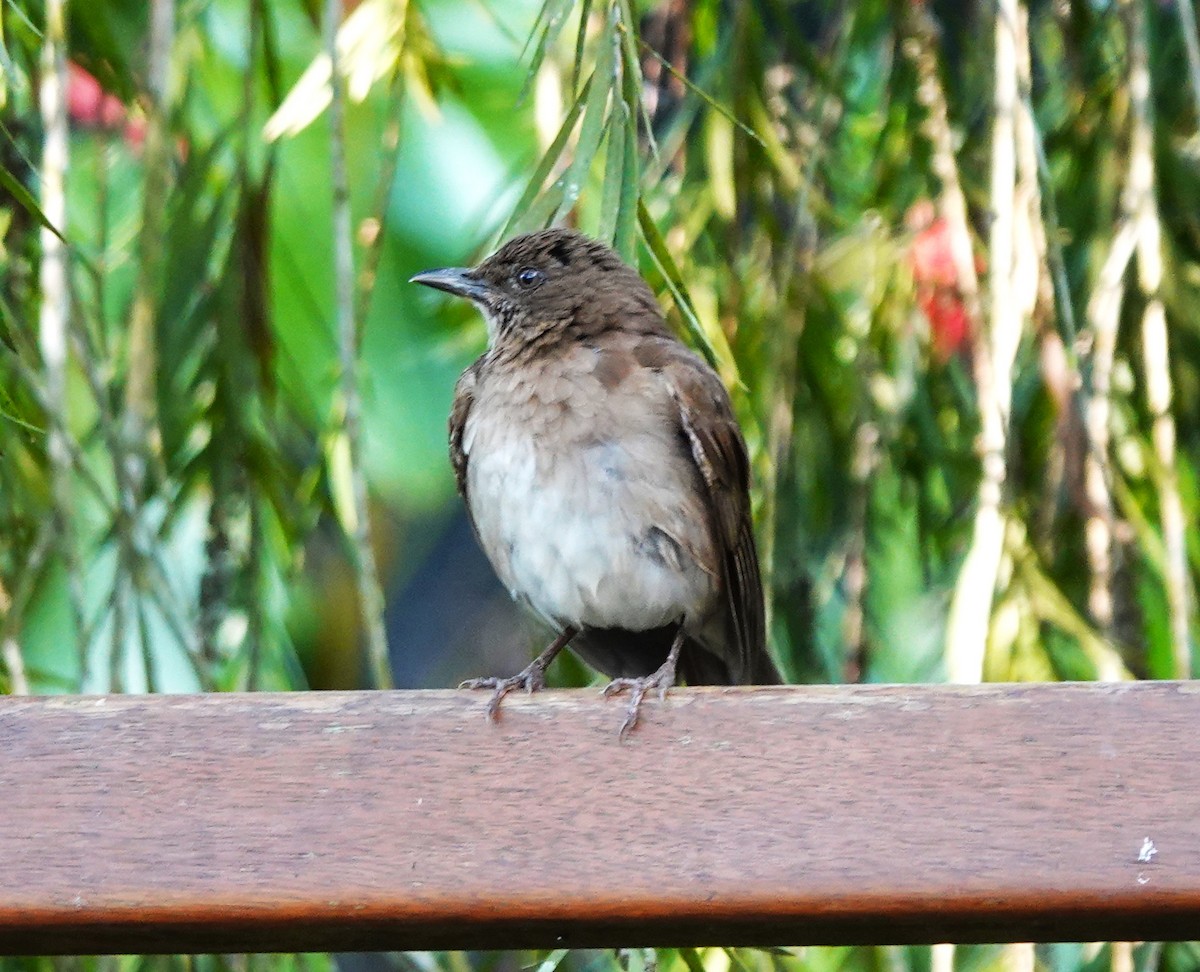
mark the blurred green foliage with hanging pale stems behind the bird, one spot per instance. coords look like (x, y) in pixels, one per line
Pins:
(945, 255)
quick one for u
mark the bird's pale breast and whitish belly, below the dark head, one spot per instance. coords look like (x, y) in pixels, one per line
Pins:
(586, 500)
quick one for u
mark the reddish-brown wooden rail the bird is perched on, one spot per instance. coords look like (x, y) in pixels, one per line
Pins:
(406, 820)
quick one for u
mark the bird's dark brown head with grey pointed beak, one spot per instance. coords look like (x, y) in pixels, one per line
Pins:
(554, 281)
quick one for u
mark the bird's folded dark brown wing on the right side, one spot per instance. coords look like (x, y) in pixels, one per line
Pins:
(707, 421)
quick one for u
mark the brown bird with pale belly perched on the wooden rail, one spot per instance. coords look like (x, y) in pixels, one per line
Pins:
(605, 473)
